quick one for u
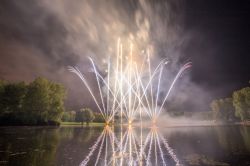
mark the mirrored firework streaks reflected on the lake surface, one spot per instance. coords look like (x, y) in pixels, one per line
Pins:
(129, 151)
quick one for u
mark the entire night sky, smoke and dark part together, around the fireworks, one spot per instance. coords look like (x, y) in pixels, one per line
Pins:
(41, 38)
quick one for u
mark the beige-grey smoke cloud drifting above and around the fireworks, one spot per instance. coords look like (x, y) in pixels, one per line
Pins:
(42, 38)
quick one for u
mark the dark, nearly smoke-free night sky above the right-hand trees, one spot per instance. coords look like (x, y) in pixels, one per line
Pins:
(224, 63)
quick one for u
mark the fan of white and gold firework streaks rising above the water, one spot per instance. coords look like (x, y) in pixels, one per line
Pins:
(125, 90)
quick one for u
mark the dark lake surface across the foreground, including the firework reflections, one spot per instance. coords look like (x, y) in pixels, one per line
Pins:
(71, 146)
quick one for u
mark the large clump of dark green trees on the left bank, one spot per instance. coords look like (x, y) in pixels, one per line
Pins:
(41, 102)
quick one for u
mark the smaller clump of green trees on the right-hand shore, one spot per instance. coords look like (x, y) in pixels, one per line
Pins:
(234, 108)
